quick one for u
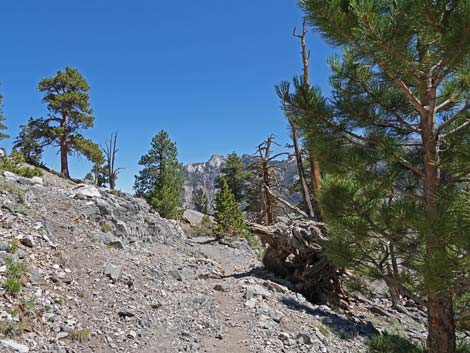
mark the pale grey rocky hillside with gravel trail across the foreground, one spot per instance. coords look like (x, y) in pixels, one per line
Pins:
(86, 270)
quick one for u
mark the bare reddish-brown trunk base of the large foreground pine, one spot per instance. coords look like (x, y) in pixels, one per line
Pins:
(441, 335)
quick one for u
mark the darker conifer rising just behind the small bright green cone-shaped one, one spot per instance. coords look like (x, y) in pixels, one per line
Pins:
(236, 176)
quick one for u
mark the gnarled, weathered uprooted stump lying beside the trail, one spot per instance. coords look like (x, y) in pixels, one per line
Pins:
(295, 252)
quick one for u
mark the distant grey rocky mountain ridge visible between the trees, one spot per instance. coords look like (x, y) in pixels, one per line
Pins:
(204, 175)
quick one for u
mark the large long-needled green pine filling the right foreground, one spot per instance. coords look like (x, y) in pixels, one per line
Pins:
(398, 205)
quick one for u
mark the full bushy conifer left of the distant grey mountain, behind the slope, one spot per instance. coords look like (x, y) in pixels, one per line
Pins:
(161, 179)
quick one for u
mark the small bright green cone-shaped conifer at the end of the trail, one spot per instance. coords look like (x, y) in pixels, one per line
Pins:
(227, 214)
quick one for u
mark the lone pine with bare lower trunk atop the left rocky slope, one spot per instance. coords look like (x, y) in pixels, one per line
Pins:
(67, 99)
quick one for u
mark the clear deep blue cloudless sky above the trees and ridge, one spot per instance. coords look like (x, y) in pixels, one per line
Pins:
(202, 70)
